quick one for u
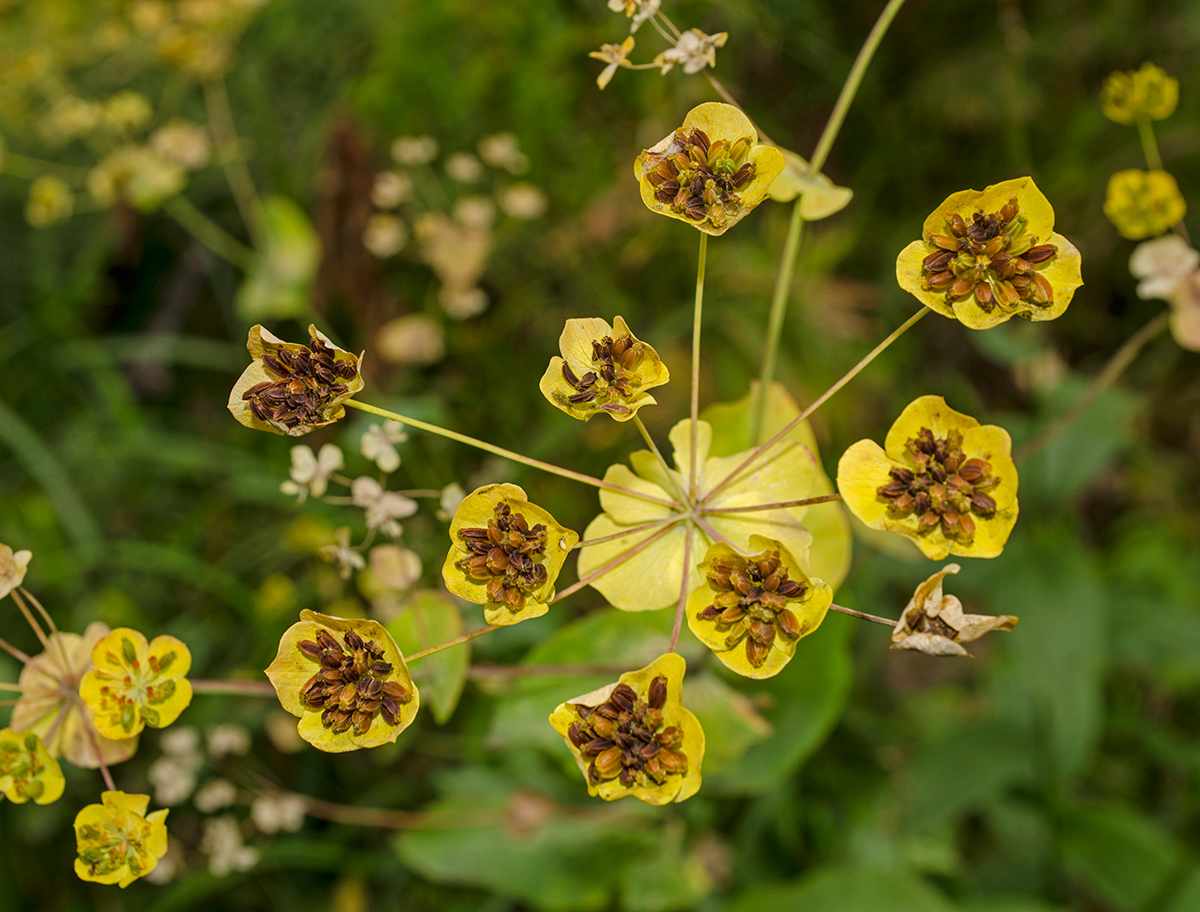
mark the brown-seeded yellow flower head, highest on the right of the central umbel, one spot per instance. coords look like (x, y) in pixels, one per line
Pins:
(986, 257)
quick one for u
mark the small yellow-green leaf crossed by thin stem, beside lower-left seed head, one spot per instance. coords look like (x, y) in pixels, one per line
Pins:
(430, 619)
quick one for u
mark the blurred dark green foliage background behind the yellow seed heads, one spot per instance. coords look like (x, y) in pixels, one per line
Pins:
(1058, 771)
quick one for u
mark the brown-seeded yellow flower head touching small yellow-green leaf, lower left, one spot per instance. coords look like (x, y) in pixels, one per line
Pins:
(346, 681)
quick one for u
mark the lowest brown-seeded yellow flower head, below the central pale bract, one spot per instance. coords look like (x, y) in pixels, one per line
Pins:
(634, 737)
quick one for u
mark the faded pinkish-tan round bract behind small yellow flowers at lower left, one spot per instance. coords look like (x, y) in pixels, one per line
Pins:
(52, 707)
